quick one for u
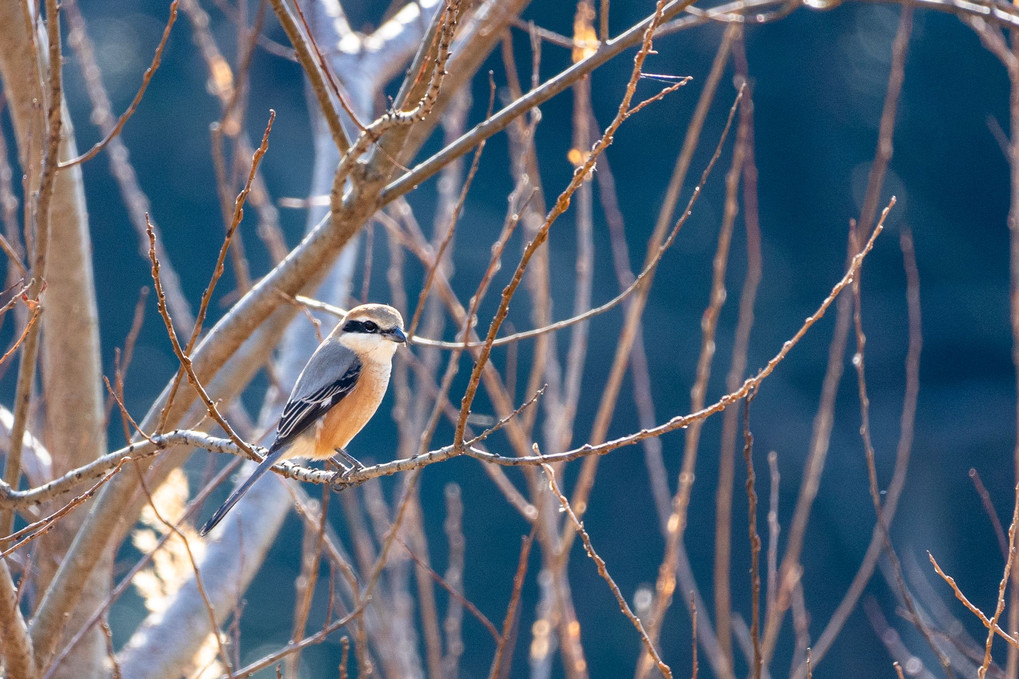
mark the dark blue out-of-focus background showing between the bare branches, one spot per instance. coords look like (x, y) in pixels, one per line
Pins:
(819, 83)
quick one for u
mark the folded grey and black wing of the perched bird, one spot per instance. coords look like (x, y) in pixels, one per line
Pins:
(330, 377)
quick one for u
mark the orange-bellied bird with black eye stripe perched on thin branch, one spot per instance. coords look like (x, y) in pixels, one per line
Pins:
(337, 394)
